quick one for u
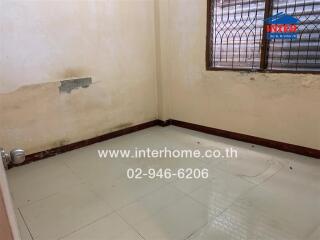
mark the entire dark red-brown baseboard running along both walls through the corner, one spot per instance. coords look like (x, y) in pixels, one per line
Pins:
(213, 131)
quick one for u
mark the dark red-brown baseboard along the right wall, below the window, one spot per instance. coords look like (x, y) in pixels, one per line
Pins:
(287, 147)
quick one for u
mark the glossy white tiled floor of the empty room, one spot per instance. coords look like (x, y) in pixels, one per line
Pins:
(263, 194)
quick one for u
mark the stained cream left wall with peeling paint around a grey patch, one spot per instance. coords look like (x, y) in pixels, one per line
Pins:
(43, 42)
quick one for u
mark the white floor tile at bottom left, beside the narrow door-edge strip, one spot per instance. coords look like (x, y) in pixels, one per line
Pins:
(63, 213)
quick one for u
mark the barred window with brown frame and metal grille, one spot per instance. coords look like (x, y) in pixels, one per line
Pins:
(238, 35)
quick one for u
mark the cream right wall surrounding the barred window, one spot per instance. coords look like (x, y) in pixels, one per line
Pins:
(281, 107)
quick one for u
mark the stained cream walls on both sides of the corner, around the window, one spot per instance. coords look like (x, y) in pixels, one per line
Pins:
(147, 60)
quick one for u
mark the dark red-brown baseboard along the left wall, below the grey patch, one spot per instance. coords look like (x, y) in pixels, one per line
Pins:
(69, 147)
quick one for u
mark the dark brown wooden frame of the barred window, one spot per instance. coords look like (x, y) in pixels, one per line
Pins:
(264, 47)
